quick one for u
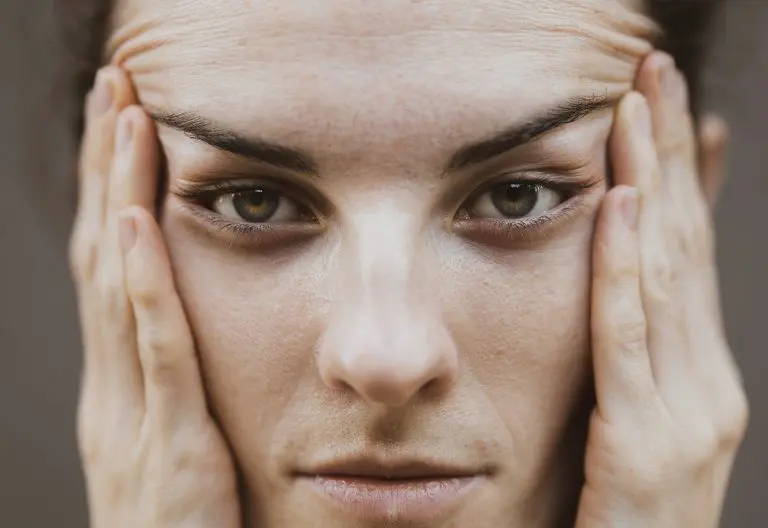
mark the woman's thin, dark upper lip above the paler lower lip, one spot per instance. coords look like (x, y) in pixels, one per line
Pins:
(367, 467)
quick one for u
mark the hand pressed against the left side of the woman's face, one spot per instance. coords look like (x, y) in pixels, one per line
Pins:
(153, 456)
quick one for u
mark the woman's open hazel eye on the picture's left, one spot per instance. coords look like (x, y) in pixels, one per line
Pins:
(257, 206)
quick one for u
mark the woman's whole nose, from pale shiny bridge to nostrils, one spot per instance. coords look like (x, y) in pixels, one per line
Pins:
(385, 339)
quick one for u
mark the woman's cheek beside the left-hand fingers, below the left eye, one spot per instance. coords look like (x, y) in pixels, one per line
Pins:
(256, 323)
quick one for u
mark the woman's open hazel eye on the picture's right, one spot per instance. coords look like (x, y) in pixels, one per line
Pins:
(514, 200)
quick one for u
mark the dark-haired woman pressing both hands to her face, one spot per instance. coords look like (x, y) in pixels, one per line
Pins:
(355, 264)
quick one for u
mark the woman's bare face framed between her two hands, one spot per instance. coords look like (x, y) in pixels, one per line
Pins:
(380, 217)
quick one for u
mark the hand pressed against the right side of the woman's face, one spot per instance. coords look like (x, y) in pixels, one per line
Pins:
(671, 411)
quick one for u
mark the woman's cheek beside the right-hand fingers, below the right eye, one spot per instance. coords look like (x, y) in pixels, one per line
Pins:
(521, 323)
